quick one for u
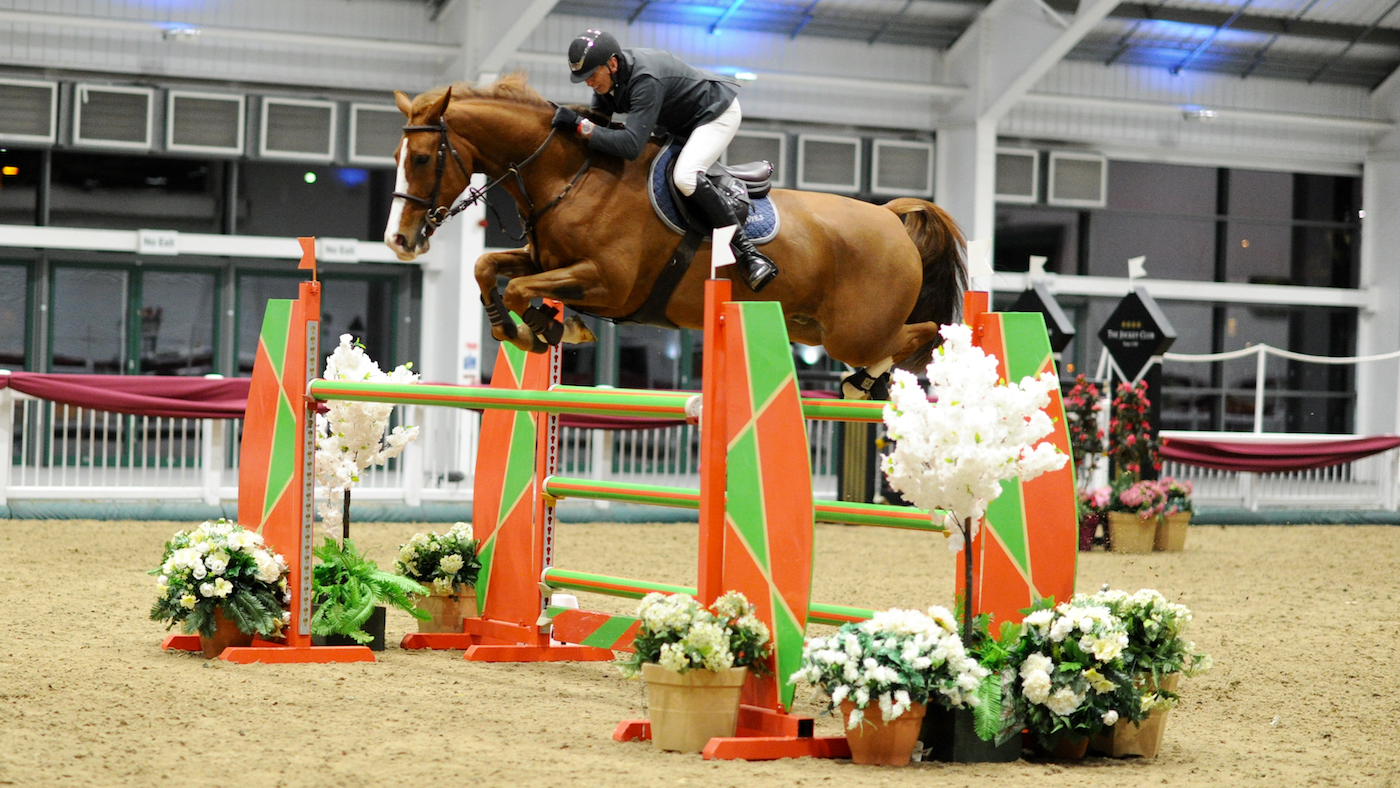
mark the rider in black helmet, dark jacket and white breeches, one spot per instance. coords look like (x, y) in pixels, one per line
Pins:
(654, 87)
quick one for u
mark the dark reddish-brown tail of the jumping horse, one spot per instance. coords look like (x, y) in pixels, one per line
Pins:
(941, 248)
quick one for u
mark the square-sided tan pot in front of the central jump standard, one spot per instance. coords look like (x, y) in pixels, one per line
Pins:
(687, 710)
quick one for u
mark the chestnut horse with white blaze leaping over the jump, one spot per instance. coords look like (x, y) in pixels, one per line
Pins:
(869, 283)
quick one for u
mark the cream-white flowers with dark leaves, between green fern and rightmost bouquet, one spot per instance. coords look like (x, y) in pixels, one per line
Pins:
(1074, 680)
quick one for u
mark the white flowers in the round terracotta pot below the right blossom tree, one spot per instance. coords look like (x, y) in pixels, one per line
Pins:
(895, 660)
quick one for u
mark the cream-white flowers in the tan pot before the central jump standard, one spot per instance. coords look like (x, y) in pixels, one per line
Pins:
(680, 635)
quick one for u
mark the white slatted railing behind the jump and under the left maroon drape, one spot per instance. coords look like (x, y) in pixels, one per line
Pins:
(68, 453)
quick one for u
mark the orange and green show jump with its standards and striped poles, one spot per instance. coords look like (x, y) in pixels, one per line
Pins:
(755, 500)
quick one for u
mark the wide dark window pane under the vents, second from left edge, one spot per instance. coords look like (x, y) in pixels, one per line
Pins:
(136, 192)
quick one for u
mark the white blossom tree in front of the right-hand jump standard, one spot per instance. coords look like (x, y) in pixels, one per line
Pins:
(958, 442)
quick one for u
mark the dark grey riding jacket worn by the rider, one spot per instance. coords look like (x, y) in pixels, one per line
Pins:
(657, 90)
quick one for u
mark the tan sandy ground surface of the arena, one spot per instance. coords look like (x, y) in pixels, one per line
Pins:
(1301, 621)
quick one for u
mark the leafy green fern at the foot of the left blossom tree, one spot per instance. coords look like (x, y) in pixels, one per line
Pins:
(346, 589)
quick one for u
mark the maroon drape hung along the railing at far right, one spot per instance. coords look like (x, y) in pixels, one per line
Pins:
(1273, 457)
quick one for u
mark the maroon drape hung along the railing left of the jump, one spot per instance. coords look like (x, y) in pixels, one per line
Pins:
(139, 395)
